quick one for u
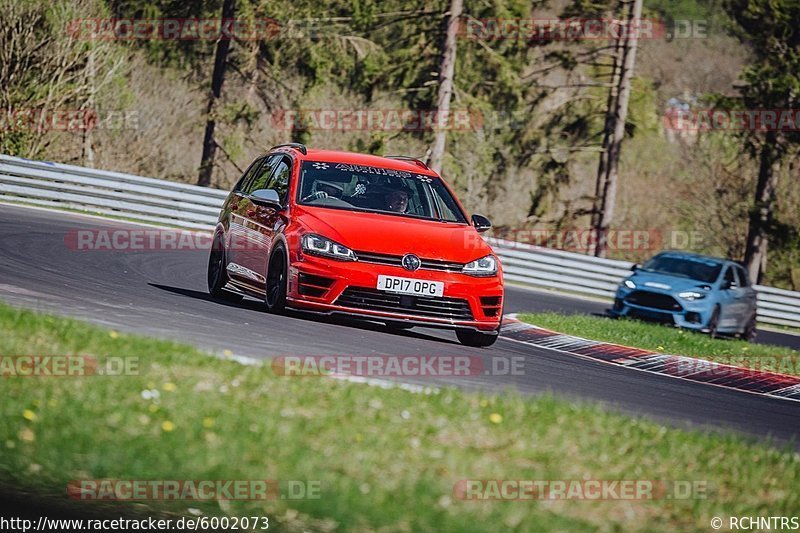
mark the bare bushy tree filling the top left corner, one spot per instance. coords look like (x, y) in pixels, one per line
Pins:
(45, 70)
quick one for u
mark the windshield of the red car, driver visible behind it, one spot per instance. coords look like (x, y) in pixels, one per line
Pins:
(374, 189)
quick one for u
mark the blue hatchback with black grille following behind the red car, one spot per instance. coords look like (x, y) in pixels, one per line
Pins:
(691, 291)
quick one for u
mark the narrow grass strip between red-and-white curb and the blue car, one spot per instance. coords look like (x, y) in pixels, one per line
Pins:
(670, 340)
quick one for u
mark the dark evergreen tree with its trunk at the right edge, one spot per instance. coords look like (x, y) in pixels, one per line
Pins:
(771, 82)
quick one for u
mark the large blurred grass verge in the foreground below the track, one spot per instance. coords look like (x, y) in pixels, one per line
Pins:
(385, 458)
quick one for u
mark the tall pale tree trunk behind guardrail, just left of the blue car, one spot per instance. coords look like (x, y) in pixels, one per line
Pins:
(609, 195)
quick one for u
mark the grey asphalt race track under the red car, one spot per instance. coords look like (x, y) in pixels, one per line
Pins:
(164, 294)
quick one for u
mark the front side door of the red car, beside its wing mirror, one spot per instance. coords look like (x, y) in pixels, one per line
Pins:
(262, 223)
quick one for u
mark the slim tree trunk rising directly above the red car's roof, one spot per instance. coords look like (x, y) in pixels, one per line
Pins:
(446, 72)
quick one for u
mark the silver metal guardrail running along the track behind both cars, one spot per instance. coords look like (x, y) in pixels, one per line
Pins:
(177, 204)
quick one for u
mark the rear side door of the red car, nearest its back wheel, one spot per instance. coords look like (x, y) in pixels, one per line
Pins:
(241, 251)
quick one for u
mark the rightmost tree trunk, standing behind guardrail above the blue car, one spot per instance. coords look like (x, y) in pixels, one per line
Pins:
(761, 215)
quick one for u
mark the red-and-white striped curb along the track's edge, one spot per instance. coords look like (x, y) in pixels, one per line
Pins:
(762, 382)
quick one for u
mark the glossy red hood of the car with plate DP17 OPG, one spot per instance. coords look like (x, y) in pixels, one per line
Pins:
(396, 235)
